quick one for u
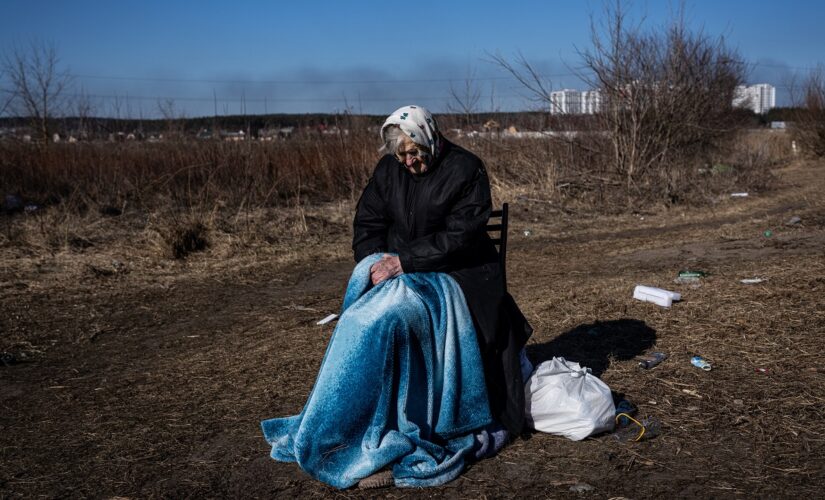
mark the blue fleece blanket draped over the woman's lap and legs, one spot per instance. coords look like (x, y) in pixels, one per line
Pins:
(401, 384)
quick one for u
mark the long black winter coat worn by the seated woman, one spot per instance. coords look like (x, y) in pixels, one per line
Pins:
(436, 221)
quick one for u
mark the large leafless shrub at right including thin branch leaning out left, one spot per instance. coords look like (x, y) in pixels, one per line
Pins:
(665, 106)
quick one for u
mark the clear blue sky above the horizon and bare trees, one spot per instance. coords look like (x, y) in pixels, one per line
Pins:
(324, 56)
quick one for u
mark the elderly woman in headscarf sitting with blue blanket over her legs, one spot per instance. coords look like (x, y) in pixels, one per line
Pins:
(422, 373)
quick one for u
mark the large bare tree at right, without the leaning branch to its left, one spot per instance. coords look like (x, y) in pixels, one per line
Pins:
(666, 93)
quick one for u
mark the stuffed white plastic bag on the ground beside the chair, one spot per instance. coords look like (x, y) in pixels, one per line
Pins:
(565, 399)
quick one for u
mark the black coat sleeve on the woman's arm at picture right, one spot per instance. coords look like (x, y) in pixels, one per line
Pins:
(463, 226)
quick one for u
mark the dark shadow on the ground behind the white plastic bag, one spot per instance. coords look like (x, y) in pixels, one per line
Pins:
(594, 344)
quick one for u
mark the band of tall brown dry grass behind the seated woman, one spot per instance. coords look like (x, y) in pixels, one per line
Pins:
(204, 175)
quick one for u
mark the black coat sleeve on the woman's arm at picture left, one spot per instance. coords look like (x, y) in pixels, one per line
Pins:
(371, 223)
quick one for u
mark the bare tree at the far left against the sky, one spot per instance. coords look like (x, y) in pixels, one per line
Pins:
(38, 84)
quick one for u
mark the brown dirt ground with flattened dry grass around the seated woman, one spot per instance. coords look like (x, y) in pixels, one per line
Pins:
(145, 377)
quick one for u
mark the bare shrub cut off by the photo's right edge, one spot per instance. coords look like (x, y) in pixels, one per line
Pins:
(808, 127)
